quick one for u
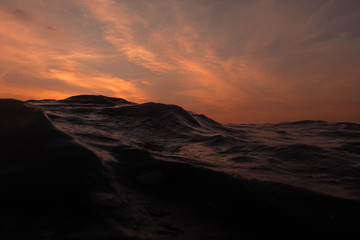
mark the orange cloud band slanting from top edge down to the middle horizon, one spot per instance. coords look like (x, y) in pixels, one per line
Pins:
(196, 62)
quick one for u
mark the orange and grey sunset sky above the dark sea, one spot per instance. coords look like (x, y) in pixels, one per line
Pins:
(236, 61)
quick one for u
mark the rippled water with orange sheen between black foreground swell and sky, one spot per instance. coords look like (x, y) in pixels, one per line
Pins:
(316, 155)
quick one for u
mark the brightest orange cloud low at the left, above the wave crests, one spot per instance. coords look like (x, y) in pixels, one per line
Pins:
(54, 62)
